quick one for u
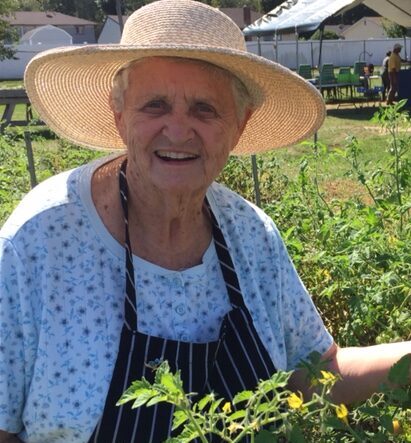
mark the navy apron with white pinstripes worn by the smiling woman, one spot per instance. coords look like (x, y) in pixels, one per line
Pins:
(235, 362)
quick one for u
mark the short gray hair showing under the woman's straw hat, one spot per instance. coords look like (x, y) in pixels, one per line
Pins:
(242, 98)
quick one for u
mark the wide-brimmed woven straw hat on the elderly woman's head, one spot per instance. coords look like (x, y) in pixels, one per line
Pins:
(69, 87)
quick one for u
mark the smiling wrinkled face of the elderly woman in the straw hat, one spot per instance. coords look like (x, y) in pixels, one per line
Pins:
(179, 123)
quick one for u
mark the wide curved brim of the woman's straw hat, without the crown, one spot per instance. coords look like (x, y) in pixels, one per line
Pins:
(70, 87)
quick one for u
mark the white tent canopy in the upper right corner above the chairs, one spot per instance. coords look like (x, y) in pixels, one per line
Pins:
(307, 15)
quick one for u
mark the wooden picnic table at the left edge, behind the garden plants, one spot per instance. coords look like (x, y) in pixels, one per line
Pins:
(9, 98)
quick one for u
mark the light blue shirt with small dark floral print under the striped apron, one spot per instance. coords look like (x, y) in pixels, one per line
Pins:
(61, 303)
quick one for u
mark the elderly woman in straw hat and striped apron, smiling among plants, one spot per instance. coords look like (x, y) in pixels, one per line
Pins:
(141, 257)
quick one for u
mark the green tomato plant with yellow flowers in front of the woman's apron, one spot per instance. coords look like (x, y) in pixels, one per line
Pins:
(272, 413)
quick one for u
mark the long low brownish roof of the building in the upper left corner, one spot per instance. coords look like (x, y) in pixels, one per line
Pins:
(35, 18)
